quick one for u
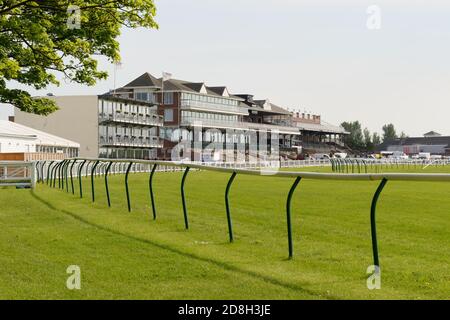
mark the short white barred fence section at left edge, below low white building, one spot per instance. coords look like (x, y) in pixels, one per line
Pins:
(17, 174)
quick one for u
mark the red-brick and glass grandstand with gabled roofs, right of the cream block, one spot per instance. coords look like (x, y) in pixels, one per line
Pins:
(233, 121)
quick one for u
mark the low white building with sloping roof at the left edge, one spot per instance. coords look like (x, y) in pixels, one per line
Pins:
(19, 139)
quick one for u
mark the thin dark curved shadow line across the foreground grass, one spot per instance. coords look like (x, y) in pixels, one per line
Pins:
(220, 264)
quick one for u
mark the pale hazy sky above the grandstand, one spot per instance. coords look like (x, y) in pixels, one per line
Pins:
(317, 56)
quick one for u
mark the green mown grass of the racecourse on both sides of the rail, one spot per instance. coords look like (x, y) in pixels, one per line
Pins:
(129, 256)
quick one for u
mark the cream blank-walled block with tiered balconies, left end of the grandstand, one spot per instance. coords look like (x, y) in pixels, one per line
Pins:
(105, 126)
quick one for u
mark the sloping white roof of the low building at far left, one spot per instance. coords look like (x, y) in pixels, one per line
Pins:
(13, 129)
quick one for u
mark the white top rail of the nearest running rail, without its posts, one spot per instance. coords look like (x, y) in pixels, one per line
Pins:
(287, 174)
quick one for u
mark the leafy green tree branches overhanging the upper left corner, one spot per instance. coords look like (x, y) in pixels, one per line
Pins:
(41, 39)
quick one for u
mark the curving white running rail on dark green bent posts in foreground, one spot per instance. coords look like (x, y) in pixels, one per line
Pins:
(62, 175)
